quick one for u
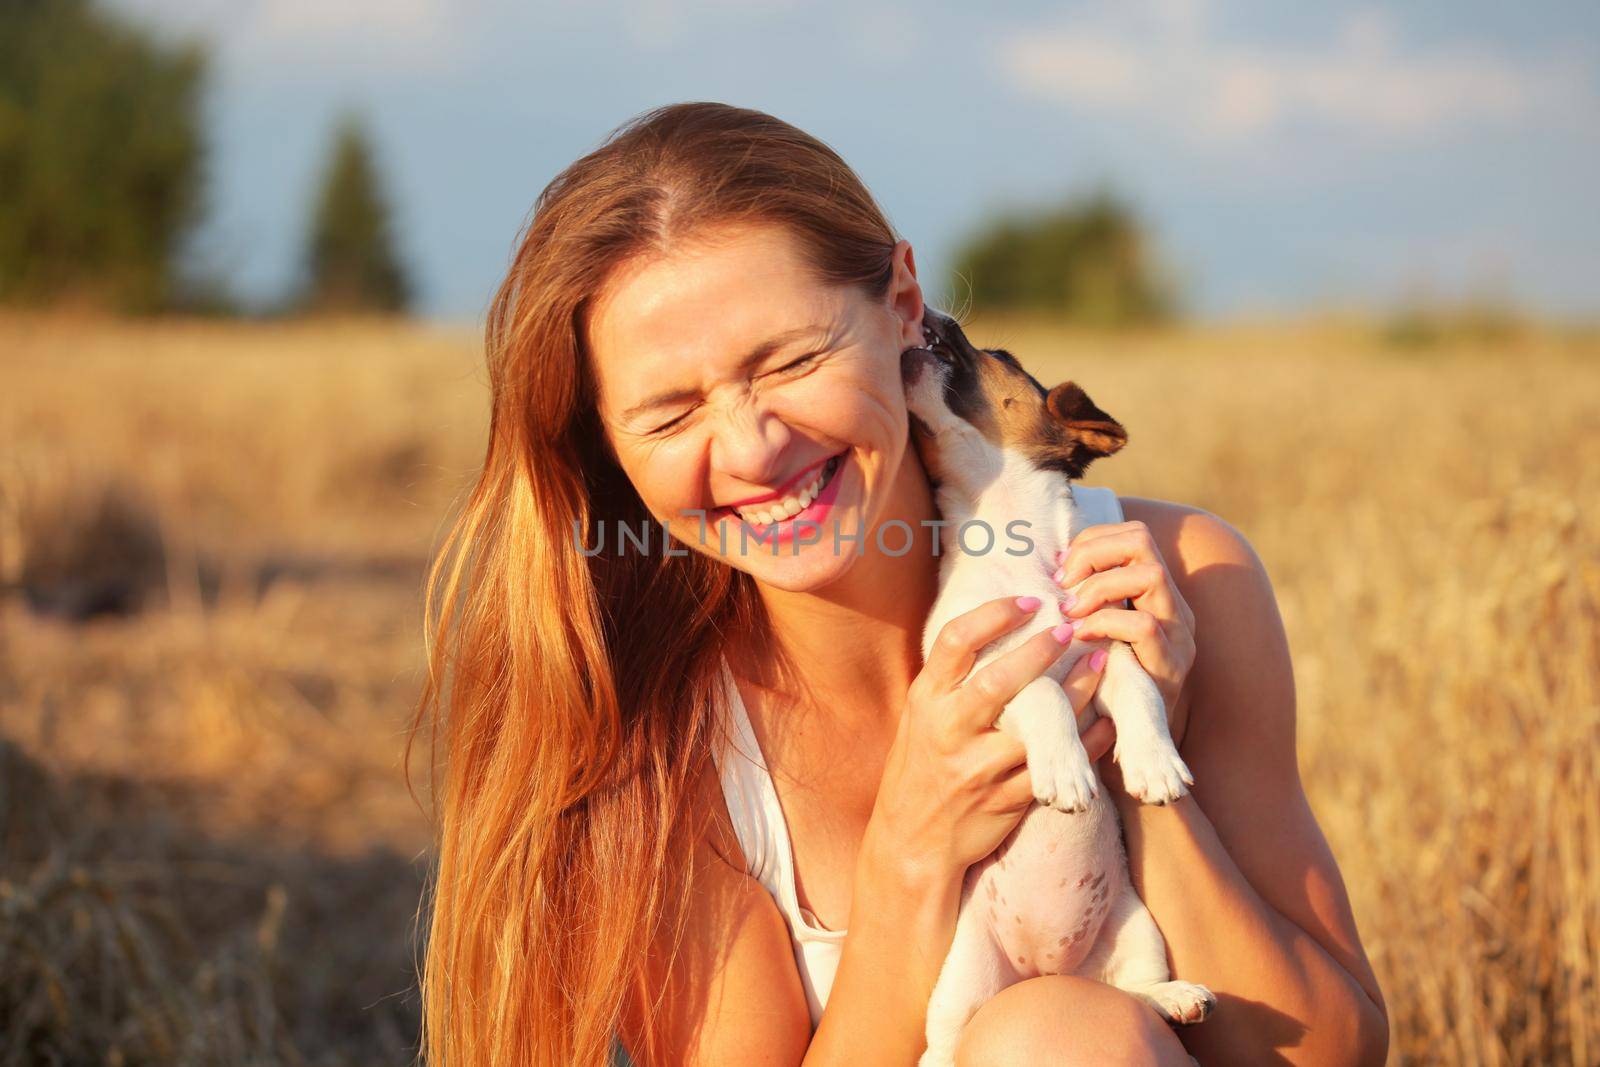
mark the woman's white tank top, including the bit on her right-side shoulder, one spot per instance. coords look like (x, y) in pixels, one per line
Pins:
(764, 834)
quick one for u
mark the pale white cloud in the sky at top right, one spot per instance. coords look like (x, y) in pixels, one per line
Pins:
(1162, 62)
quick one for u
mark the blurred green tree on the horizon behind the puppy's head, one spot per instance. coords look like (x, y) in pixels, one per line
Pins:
(1087, 262)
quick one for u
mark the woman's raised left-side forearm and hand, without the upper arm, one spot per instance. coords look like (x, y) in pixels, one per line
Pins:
(914, 858)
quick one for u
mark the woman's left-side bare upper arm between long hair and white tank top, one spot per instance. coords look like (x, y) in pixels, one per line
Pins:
(732, 994)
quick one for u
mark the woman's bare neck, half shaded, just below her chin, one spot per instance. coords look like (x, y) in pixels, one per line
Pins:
(857, 644)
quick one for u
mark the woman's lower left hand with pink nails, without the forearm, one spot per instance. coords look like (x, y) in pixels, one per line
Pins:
(954, 786)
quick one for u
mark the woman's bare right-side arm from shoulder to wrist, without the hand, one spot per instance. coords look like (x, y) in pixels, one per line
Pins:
(1239, 876)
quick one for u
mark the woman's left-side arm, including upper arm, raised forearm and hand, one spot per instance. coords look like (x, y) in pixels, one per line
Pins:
(953, 789)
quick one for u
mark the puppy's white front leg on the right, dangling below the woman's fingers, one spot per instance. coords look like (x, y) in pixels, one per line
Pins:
(1151, 767)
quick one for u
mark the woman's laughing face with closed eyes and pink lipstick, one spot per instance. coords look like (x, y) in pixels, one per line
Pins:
(754, 407)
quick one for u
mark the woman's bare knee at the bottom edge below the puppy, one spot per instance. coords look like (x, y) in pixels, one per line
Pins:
(1062, 1020)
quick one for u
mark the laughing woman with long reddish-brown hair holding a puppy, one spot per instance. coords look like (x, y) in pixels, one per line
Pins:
(710, 310)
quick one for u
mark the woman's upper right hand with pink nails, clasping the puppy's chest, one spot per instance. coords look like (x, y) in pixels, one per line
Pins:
(1114, 562)
